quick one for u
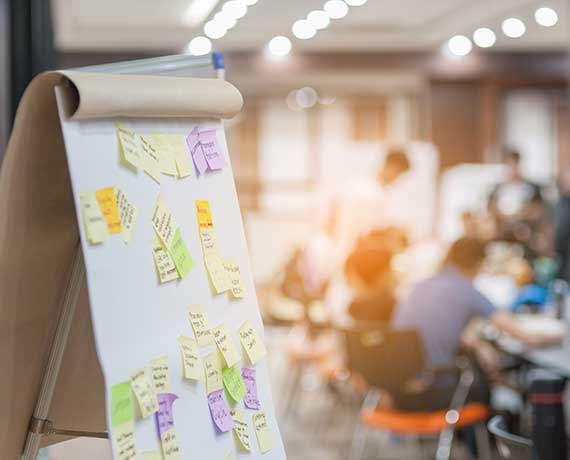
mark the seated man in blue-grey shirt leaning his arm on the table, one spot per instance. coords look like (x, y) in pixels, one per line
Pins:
(440, 309)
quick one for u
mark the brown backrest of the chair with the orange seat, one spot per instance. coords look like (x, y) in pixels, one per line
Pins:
(384, 357)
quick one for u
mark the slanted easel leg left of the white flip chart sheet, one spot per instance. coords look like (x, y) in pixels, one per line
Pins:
(39, 420)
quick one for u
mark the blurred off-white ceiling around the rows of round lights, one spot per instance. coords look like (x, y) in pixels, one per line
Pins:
(379, 25)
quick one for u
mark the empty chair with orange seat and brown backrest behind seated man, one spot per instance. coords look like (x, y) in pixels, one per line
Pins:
(387, 359)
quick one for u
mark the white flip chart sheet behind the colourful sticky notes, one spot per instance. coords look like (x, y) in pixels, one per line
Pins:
(136, 319)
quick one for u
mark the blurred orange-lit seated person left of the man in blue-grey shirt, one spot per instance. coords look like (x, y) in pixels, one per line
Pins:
(371, 281)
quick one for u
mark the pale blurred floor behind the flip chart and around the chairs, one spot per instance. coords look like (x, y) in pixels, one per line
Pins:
(317, 426)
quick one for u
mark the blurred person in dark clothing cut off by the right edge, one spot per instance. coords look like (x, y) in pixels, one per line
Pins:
(562, 227)
